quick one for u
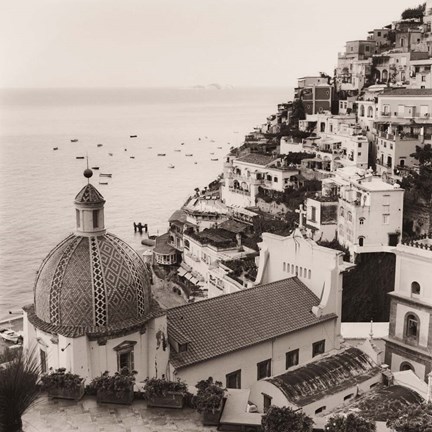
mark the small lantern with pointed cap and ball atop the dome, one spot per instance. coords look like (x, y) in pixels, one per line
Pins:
(89, 208)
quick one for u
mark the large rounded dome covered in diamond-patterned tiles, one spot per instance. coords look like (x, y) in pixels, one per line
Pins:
(92, 281)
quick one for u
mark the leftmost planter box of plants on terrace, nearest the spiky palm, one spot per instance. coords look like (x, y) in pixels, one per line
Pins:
(63, 385)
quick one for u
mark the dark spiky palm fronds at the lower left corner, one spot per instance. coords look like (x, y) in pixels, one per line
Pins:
(18, 390)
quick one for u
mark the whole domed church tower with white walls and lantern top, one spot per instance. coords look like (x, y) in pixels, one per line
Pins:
(93, 308)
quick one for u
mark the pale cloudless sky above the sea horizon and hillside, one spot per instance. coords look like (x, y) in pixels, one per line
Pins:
(180, 43)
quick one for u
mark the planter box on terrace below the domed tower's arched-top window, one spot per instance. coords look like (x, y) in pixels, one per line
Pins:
(117, 388)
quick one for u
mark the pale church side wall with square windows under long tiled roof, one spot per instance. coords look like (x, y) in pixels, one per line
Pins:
(247, 359)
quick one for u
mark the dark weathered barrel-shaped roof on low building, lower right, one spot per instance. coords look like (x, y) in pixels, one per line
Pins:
(325, 376)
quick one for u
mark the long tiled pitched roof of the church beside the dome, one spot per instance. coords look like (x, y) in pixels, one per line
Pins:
(231, 322)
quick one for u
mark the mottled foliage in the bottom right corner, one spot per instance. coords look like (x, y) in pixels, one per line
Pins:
(412, 418)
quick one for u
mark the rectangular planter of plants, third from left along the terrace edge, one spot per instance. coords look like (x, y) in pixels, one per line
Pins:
(163, 393)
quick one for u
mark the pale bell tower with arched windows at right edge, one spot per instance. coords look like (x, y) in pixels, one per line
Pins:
(409, 345)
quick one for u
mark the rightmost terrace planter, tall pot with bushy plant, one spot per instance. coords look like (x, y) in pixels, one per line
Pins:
(210, 401)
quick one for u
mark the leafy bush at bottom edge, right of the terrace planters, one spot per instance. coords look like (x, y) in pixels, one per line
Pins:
(284, 419)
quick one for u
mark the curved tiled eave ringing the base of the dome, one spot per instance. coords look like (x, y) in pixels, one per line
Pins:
(93, 332)
